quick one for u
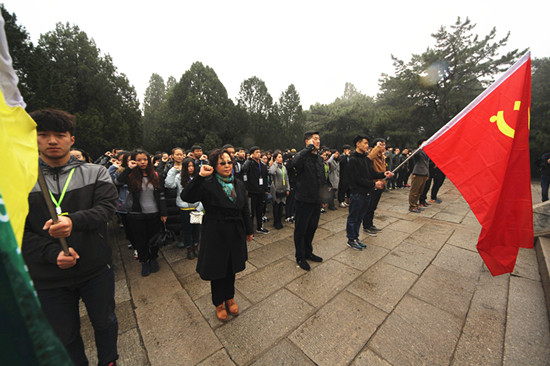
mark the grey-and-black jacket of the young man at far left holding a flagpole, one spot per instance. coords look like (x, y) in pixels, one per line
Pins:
(90, 202)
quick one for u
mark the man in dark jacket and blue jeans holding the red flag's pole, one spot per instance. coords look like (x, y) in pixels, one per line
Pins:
(361, 184)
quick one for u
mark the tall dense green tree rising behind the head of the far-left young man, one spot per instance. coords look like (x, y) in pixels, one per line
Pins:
(78, 79)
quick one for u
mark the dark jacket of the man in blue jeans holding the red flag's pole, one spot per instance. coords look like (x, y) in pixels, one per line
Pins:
(361, 174)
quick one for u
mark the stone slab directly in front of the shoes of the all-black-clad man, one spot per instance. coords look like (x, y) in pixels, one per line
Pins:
(323, 282)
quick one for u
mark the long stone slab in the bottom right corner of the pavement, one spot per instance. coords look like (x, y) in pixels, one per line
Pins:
(527, 339)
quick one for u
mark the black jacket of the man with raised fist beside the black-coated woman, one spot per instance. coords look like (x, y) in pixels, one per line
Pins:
(311, 183)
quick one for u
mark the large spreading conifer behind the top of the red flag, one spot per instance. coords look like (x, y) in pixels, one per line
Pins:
(437, 84)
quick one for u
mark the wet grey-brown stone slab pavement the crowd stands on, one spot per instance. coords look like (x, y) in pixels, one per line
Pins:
(419, 294)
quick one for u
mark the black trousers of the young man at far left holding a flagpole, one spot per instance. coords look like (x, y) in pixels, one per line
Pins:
(60, 305)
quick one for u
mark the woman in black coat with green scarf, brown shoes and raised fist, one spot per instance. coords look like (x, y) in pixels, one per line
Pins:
(226, 228)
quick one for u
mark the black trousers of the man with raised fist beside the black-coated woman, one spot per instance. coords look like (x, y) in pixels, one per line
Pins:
(305, 225)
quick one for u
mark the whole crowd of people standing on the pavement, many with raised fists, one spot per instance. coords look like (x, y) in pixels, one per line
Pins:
(209, 200)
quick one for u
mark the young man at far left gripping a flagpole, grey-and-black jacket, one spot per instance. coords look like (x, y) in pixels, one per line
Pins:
(85, 197)
